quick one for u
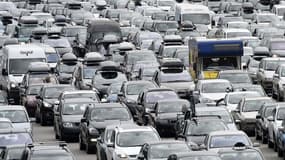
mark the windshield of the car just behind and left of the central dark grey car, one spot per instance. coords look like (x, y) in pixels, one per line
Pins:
(135, 89)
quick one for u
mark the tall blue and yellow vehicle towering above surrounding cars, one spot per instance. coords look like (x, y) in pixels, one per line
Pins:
(209, 56)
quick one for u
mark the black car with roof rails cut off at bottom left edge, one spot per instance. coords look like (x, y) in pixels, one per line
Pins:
(45, 151)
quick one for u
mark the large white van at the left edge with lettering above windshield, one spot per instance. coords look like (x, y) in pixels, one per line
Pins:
(15, 62)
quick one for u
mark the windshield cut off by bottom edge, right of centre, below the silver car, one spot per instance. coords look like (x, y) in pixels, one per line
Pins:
(252, 155)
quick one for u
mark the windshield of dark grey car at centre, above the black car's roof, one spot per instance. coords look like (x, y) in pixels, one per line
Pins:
(153, 97)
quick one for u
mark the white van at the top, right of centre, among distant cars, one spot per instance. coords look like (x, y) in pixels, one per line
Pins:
(196, 13)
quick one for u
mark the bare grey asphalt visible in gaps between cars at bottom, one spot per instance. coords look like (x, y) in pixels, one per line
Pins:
(46, 134)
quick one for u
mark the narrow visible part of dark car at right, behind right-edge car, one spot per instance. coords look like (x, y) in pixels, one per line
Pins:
(261, 130)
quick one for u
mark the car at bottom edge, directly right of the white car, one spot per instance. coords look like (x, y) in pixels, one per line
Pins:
(161, 150)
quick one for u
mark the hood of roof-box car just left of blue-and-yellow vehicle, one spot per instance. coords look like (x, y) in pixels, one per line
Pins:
(178, 86)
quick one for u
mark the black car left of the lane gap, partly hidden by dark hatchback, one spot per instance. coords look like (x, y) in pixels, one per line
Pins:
(46, 99)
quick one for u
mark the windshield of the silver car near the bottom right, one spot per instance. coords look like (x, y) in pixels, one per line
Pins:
(228, 141)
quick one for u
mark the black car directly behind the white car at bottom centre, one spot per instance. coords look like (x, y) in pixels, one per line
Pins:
(95, 119)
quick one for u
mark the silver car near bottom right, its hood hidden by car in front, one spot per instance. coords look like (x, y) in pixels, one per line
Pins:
(226, 139)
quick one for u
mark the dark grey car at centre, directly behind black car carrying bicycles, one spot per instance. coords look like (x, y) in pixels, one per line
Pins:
(147, 99)
